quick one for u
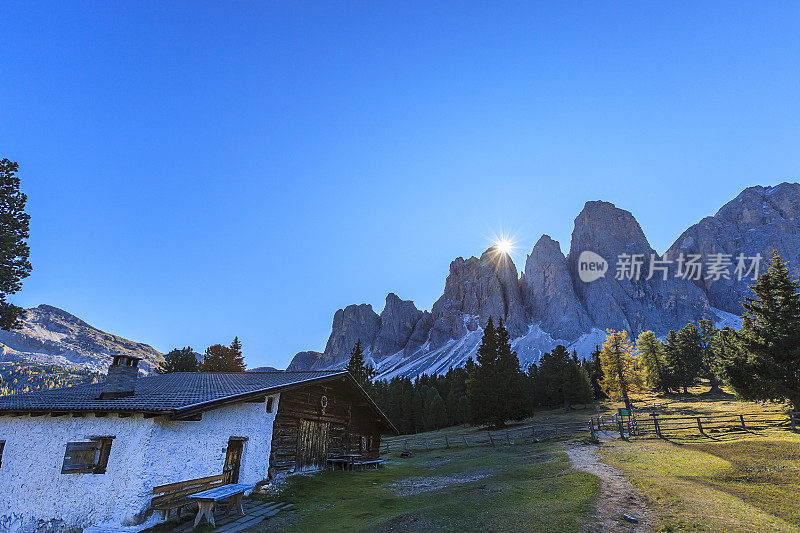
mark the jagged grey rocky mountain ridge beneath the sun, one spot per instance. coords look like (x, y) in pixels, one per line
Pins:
(548, 304)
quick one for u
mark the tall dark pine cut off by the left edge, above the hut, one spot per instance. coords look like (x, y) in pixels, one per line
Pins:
(14, 250)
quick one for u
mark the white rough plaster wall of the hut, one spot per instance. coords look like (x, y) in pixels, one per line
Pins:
(36, 496)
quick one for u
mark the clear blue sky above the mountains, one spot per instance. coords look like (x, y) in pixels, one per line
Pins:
(204, 170)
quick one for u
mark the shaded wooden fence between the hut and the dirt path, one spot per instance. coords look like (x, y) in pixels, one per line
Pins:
(504, 437)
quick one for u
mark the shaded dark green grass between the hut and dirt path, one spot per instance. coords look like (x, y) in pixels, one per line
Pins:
(529, 487)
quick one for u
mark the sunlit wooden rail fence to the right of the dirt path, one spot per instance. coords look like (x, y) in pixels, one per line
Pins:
(676, 426)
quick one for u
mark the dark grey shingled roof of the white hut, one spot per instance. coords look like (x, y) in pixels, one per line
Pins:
(177, 393)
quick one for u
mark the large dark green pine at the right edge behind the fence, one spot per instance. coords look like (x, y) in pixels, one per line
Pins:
(766, 365)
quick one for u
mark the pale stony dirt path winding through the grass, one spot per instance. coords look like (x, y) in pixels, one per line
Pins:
(617, 497)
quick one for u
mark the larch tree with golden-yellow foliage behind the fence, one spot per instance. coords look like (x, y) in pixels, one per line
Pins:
(620, 364)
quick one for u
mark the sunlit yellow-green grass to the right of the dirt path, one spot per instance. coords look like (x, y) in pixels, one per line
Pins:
(727, 482)
